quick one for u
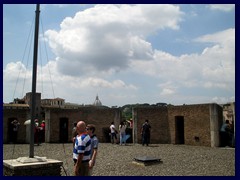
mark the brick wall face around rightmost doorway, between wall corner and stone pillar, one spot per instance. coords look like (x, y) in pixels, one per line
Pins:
(196, 123)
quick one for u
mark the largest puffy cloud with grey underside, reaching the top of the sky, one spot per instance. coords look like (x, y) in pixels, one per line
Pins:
(105, 38)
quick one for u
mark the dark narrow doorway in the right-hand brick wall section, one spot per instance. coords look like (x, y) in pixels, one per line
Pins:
(179, 129)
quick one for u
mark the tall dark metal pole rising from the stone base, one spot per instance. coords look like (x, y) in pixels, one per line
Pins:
(34, 79)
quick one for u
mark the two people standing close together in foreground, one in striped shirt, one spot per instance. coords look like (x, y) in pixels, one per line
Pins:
(85, 145)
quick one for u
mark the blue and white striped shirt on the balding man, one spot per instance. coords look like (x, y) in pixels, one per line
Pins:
(82, 145)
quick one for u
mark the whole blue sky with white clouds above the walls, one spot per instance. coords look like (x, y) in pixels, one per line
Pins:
(127, 54)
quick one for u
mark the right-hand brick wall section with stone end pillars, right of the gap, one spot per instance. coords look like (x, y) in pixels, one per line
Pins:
(200, 124)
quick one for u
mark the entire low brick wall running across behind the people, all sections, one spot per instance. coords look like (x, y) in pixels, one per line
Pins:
(187, 124)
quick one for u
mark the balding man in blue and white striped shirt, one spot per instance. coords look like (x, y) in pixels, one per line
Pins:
(82, 151)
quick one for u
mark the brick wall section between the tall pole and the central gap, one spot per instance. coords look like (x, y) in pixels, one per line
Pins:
(100, 117)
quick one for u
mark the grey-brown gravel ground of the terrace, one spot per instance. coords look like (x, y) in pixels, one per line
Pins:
(116, 160)
